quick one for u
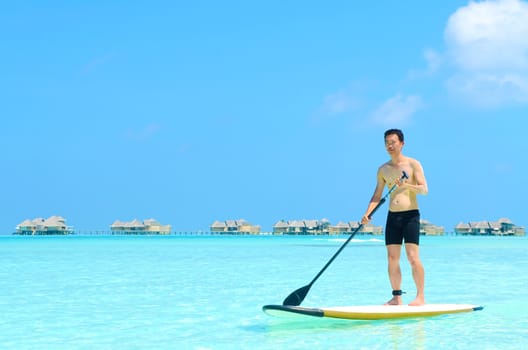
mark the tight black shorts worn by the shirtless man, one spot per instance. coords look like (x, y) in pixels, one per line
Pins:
(403, 226)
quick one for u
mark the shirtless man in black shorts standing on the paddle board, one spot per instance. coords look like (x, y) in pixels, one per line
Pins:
(403, 219)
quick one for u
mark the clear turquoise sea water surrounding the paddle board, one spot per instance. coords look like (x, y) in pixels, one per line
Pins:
(206, 292)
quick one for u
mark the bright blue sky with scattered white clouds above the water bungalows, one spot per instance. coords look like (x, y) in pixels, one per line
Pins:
(191, 112)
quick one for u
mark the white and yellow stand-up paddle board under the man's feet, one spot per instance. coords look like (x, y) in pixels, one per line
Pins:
(373, 312)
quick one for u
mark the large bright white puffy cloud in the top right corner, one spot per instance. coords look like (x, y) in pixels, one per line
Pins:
(487, 43)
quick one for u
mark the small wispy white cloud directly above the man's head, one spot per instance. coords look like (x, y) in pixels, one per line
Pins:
(397, 110)
